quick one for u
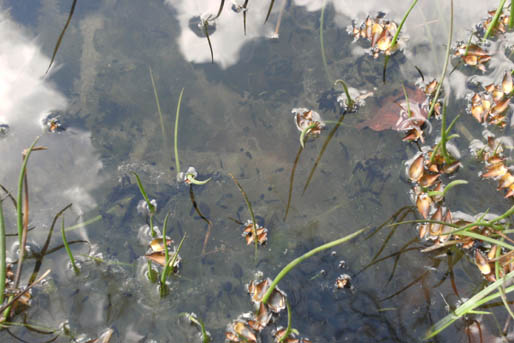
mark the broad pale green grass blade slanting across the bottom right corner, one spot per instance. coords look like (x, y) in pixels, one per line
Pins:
(472, 303)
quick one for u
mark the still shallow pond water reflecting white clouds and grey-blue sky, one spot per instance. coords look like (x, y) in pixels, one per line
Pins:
(235, 118)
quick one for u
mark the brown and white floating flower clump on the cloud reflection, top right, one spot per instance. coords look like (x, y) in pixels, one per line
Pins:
(379, 32)
